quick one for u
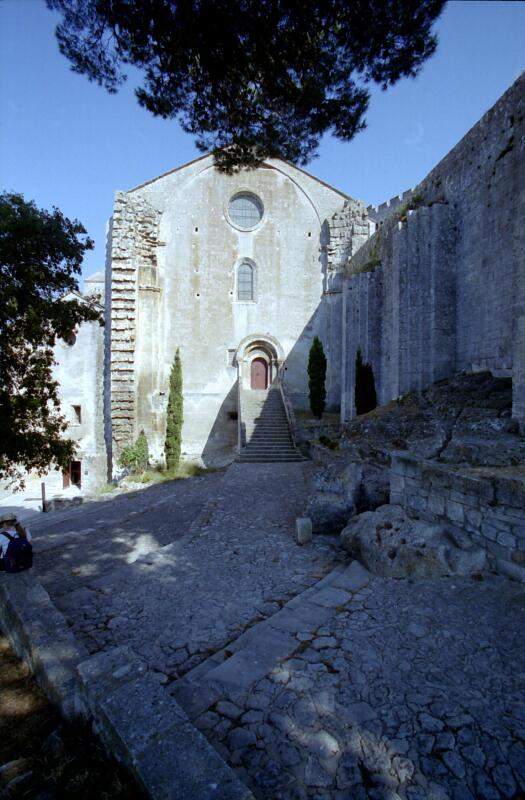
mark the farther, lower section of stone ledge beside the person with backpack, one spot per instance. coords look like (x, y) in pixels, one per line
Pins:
(39, 634)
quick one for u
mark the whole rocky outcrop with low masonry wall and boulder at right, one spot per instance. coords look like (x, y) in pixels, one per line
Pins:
(451, 460)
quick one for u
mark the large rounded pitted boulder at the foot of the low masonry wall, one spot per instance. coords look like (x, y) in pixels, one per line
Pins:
(390, 543)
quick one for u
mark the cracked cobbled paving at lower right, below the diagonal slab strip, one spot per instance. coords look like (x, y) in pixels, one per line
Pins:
(408, 690)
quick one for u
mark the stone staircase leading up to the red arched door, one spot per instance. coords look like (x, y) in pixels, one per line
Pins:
(266, 433)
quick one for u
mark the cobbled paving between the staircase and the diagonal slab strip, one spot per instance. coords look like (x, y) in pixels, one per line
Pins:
(178, 603)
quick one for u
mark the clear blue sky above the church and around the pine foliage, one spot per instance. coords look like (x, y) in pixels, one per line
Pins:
(67, 142)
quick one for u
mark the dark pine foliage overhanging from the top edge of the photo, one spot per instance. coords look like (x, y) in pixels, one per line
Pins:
(262, 78)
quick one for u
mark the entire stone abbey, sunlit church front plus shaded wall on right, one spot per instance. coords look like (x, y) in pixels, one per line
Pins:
(241, 272)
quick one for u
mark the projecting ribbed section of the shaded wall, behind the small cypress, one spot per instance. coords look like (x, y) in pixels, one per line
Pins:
(400, 311)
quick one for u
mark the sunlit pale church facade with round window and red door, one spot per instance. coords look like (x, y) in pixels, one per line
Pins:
(227, 269)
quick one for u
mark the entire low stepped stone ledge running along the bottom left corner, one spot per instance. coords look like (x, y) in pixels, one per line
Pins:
(136, 718)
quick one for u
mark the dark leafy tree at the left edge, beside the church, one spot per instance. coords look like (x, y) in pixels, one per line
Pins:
(41, 254)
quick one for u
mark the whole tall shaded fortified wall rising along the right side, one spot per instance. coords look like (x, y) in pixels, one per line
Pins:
(440, 287)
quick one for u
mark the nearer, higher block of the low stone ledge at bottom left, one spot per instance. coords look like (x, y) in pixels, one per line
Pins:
(147, 730)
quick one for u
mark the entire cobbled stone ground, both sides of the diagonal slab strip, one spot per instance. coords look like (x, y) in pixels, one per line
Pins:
(313, 681)
